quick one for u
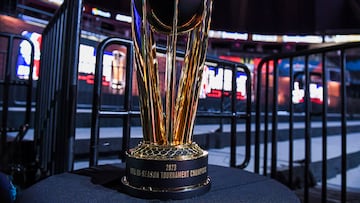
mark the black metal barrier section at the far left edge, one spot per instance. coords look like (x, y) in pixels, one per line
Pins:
(11, 148)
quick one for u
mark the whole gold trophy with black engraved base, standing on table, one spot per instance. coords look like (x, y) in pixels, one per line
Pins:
(167, 164)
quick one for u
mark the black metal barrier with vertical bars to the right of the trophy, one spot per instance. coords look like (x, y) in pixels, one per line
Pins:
(267, 109)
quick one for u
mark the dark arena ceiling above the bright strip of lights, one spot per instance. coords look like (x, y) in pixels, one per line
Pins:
(250, 16)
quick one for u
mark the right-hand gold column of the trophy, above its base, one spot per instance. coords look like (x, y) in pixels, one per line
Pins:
(190, 80)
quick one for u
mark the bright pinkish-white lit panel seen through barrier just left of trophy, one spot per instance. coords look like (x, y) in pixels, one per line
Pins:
(117, 69)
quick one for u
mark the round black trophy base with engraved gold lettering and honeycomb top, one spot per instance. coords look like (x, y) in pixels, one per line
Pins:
(166, 172)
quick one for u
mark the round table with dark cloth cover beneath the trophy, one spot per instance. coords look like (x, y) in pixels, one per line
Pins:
(102, 184)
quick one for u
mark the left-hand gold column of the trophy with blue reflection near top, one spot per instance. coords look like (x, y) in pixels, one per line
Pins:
(148, 81)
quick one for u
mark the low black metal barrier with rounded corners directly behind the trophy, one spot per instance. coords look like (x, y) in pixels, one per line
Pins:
(128, 112)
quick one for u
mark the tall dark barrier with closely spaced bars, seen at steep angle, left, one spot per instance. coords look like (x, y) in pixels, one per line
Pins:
(57, 89)
